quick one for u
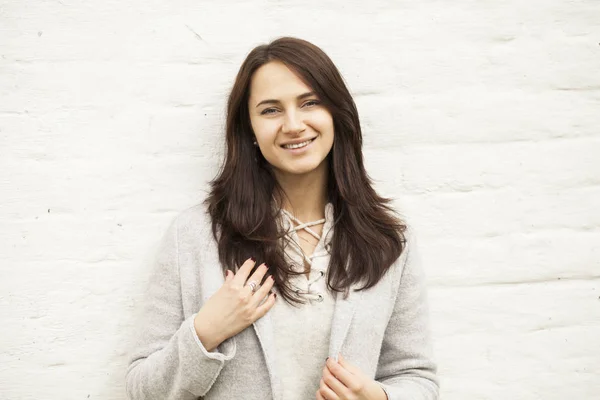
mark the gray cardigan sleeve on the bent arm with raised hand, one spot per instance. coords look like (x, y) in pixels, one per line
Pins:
(168, 361)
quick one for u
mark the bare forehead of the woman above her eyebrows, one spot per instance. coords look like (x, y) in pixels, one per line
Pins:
(275, 80)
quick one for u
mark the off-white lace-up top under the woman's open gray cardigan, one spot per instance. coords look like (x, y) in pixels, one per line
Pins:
(302, 332)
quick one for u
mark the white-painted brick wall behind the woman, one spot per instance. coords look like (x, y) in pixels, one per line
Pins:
(481, 118)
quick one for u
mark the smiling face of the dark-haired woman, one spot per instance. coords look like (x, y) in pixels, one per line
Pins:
(284, 111)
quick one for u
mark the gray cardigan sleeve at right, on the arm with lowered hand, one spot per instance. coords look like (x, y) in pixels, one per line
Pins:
(406, 369)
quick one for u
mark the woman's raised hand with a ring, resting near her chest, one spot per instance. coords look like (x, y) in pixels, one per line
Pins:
(234, 307)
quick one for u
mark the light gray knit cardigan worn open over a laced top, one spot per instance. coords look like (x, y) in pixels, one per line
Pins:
(383, 330)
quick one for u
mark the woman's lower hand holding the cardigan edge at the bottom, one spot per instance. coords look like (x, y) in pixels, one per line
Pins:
(344, 381)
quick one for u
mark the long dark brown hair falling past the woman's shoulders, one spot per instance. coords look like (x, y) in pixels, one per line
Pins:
(368, 236)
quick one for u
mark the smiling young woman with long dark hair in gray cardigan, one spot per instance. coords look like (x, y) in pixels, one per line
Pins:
(294, 279)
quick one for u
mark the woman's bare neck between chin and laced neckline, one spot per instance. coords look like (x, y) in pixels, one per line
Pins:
(305, 195)
